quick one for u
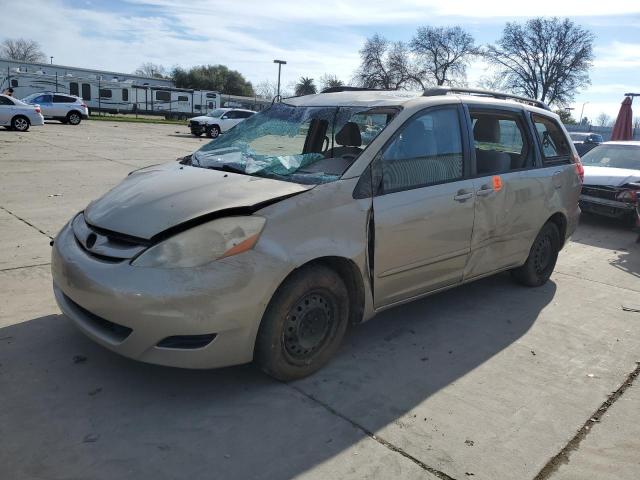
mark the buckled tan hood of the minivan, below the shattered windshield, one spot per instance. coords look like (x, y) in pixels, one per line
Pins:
(154, 199)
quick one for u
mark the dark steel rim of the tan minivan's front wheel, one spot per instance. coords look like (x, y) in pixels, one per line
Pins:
(309, 325)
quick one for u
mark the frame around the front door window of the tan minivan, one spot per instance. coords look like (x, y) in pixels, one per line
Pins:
(376, 167)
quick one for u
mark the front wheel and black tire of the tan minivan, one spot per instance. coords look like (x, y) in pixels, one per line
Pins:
(304, 324)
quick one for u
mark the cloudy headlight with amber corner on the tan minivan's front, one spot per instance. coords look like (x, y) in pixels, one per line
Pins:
(205, 243)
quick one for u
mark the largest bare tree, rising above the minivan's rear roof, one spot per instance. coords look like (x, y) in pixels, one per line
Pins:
(547, 59)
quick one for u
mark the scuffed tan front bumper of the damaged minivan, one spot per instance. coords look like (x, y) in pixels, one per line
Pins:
(130, 310)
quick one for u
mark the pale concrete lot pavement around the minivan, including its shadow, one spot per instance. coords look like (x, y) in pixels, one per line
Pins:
(488, 381)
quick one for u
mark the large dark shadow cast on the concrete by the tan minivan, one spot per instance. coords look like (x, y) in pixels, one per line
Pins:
(71, 409)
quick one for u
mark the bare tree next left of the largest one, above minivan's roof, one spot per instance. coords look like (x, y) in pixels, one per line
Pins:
(443, 53)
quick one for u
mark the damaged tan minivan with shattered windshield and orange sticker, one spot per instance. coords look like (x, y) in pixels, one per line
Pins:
(268, 242)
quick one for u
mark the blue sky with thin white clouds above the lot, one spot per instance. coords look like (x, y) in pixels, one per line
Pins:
(313, 37)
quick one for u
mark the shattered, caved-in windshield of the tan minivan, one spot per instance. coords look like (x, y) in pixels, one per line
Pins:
(308, 145)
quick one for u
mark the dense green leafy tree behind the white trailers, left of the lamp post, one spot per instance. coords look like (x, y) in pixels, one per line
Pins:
(212, 77)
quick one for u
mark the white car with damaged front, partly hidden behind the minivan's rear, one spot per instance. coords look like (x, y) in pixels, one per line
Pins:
(611, 180)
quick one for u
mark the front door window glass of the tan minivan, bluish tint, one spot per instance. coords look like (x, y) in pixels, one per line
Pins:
(427, 150)
